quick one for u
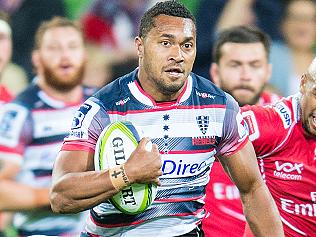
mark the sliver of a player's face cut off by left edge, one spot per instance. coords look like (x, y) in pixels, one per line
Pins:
(5, 49)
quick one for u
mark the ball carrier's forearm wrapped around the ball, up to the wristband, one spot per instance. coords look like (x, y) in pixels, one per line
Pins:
(75, 192)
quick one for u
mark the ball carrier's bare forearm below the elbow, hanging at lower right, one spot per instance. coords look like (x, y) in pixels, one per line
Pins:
(261, 213)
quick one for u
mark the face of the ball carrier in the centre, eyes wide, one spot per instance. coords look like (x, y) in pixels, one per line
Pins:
(166, 56)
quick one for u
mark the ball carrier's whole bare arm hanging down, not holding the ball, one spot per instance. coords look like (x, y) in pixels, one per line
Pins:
(259, 207)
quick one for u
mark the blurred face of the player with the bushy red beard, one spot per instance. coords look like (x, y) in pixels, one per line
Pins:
(62, 58)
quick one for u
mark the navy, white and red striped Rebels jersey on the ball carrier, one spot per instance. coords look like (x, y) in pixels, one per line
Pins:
(202, 123)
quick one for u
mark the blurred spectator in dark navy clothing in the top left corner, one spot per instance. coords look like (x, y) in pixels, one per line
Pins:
(26, 15)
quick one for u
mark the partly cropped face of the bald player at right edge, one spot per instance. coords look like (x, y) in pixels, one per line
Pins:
(308, 104)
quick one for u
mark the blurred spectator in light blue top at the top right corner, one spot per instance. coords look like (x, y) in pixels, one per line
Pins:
(292, 56)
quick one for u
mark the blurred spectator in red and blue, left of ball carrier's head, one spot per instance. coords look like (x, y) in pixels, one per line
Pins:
(113, 24)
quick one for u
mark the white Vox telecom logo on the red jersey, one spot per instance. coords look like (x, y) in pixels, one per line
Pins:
(288, 170)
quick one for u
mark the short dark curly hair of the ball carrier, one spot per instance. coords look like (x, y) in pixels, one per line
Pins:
(169, 8)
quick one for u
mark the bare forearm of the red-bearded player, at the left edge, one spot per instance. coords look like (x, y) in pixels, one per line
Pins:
(19, 197)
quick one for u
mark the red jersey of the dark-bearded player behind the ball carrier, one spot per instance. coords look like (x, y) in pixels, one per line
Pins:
(222, 200)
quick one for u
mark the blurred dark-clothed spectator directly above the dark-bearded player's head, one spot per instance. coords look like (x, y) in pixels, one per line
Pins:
(216, 15)
